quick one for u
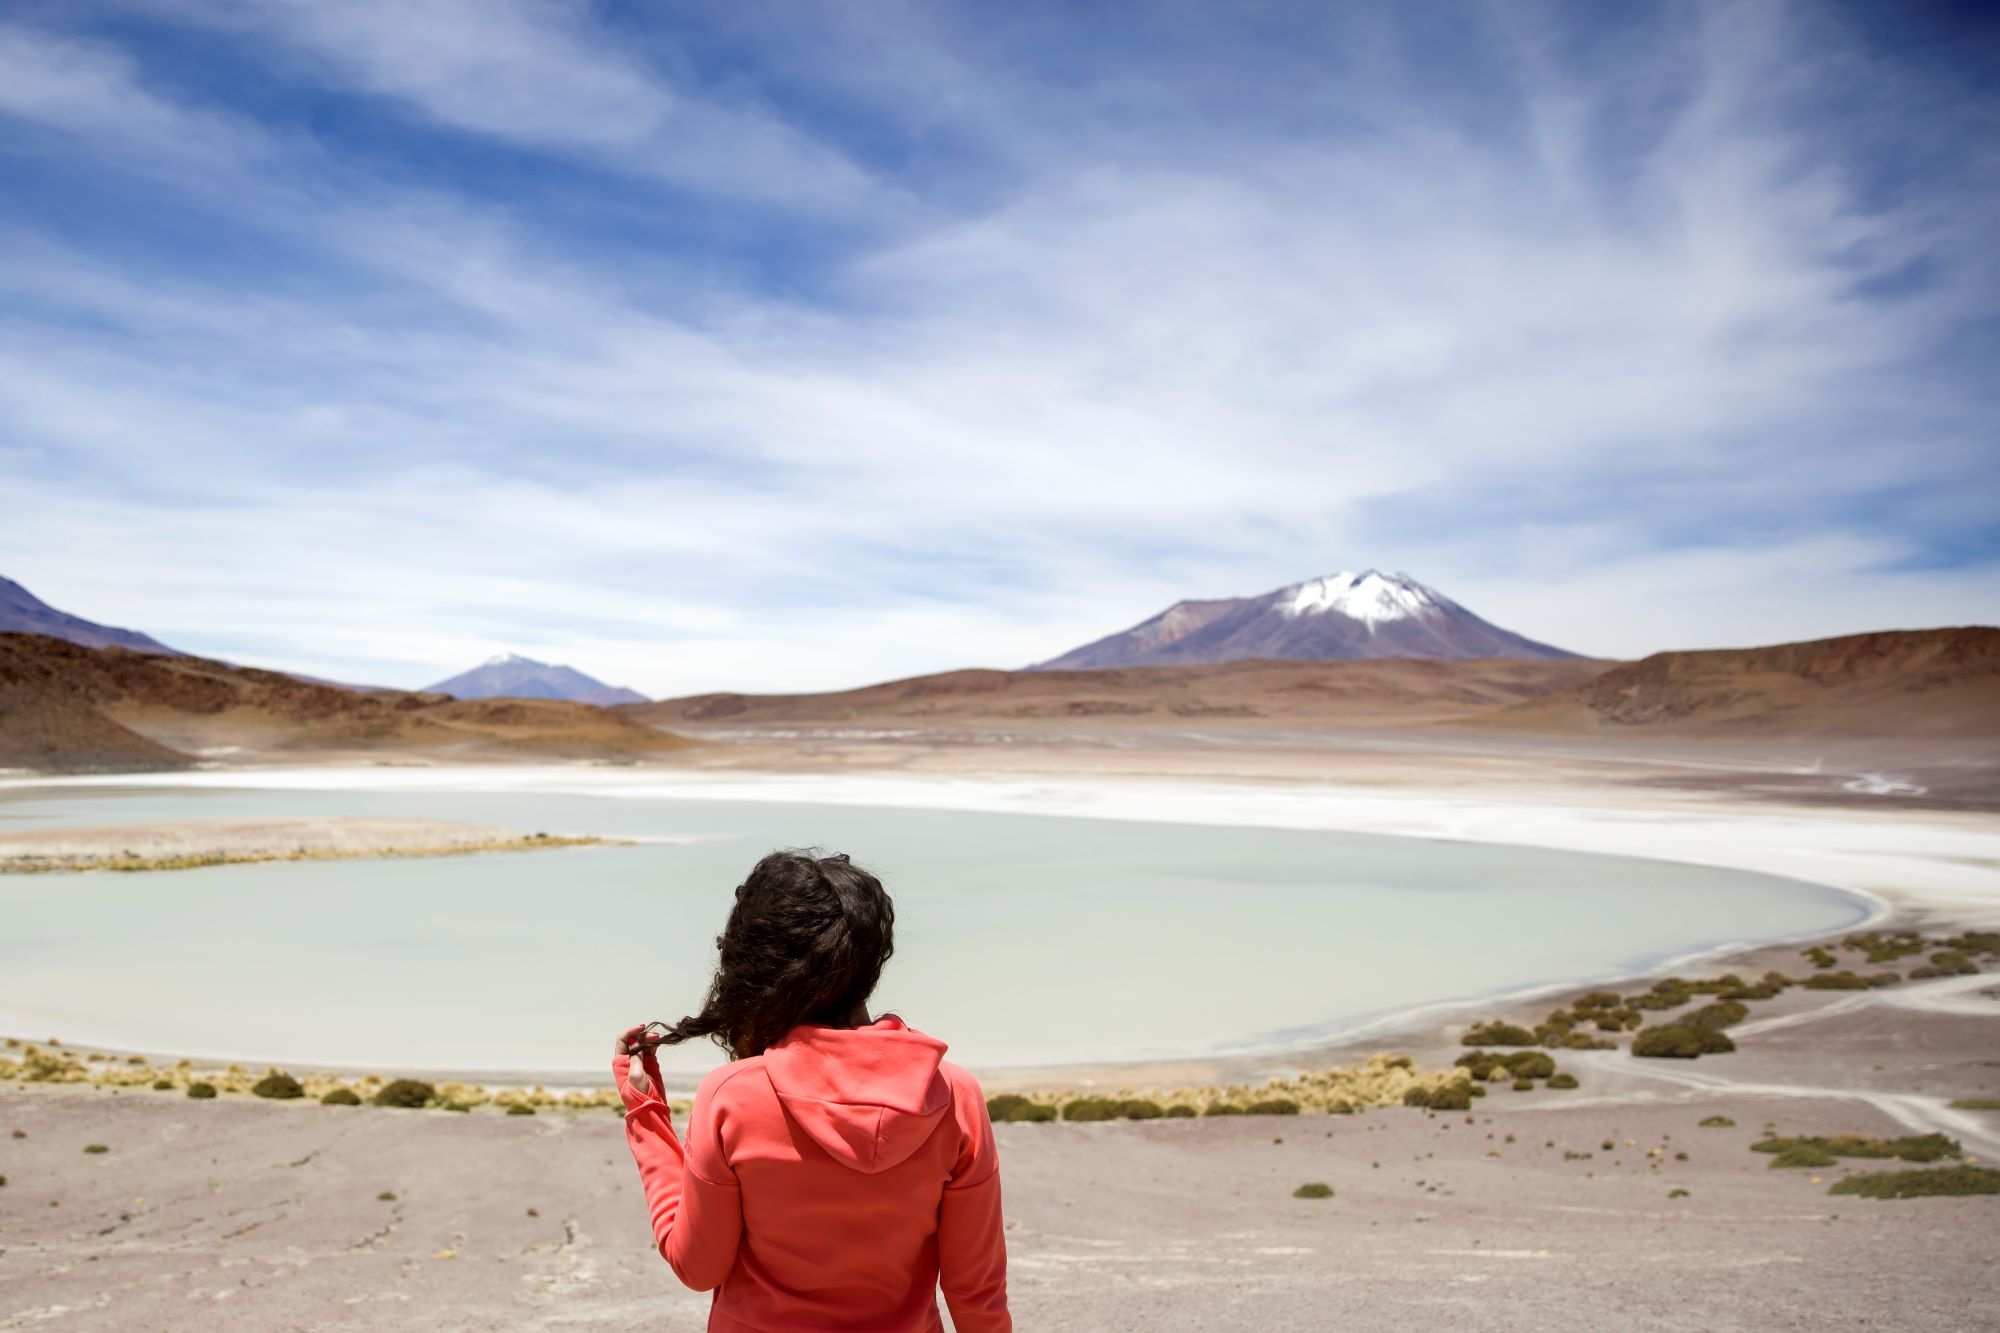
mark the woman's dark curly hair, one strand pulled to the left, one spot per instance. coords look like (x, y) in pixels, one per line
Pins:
(805, 944)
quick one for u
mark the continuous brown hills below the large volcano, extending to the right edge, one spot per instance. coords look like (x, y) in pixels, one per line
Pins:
(1895, 684)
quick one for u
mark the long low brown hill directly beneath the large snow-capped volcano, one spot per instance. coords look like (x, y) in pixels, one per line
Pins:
(1349, 694)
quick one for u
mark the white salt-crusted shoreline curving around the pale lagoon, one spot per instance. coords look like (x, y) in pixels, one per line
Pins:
(1907, 868)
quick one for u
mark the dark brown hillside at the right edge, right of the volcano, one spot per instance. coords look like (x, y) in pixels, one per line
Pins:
(1895, 684)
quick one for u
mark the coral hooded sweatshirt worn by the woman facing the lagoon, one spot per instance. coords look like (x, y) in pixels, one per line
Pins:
(835, 1182)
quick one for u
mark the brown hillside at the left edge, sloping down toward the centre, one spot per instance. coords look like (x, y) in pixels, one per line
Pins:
(75, 710)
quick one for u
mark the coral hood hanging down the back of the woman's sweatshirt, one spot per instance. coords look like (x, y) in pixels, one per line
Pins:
(869, 1096)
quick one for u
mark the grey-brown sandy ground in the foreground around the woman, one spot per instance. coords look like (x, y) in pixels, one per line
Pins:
(257, 1216)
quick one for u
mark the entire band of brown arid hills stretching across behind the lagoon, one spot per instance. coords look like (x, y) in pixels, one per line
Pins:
(75, 710)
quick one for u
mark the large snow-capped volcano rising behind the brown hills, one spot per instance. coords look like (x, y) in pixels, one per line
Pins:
(1347, 615)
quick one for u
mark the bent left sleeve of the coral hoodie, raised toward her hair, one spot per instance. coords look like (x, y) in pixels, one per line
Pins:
(691, 1192)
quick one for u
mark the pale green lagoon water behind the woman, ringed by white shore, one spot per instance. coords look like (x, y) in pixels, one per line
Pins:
(1023, 940)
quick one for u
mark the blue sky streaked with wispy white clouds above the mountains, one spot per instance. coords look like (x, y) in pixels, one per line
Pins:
(789, 347)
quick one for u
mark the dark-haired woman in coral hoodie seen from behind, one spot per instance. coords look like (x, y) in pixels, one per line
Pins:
(839, 1170)
